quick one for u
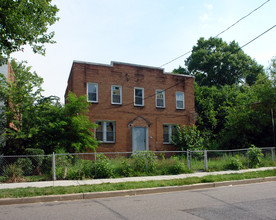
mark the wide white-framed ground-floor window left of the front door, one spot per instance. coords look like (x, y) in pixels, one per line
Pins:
(105, 131)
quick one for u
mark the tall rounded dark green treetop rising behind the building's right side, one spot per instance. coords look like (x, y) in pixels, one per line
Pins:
(214, 62)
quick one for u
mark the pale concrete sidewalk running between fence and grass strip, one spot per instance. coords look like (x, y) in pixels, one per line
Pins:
(120, 180)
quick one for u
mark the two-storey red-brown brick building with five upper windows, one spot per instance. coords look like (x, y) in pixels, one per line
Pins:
(135, 107)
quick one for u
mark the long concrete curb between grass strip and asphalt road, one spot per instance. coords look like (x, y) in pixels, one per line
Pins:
(97, 195)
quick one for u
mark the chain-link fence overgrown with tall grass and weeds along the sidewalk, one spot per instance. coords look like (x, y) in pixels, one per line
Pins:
(124, 164)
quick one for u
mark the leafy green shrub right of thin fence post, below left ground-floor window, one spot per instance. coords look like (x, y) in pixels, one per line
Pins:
(103, 167)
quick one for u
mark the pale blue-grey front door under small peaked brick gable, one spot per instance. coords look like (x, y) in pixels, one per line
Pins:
(139, 139)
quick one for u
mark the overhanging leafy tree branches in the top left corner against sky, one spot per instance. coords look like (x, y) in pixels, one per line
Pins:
(25, 22)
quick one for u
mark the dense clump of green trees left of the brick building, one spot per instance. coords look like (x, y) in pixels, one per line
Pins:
(39, 122)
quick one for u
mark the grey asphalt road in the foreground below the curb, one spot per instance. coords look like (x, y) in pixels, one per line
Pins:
(252, 201)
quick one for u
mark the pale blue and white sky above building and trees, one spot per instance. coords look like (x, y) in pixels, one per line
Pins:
(147, 32)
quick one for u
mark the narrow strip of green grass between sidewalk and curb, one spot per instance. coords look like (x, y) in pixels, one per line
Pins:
(31, 192)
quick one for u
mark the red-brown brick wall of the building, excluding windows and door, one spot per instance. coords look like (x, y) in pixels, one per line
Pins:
(129, 76)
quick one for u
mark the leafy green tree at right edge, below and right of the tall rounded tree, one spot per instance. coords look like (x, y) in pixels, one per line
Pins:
(249, 121)
